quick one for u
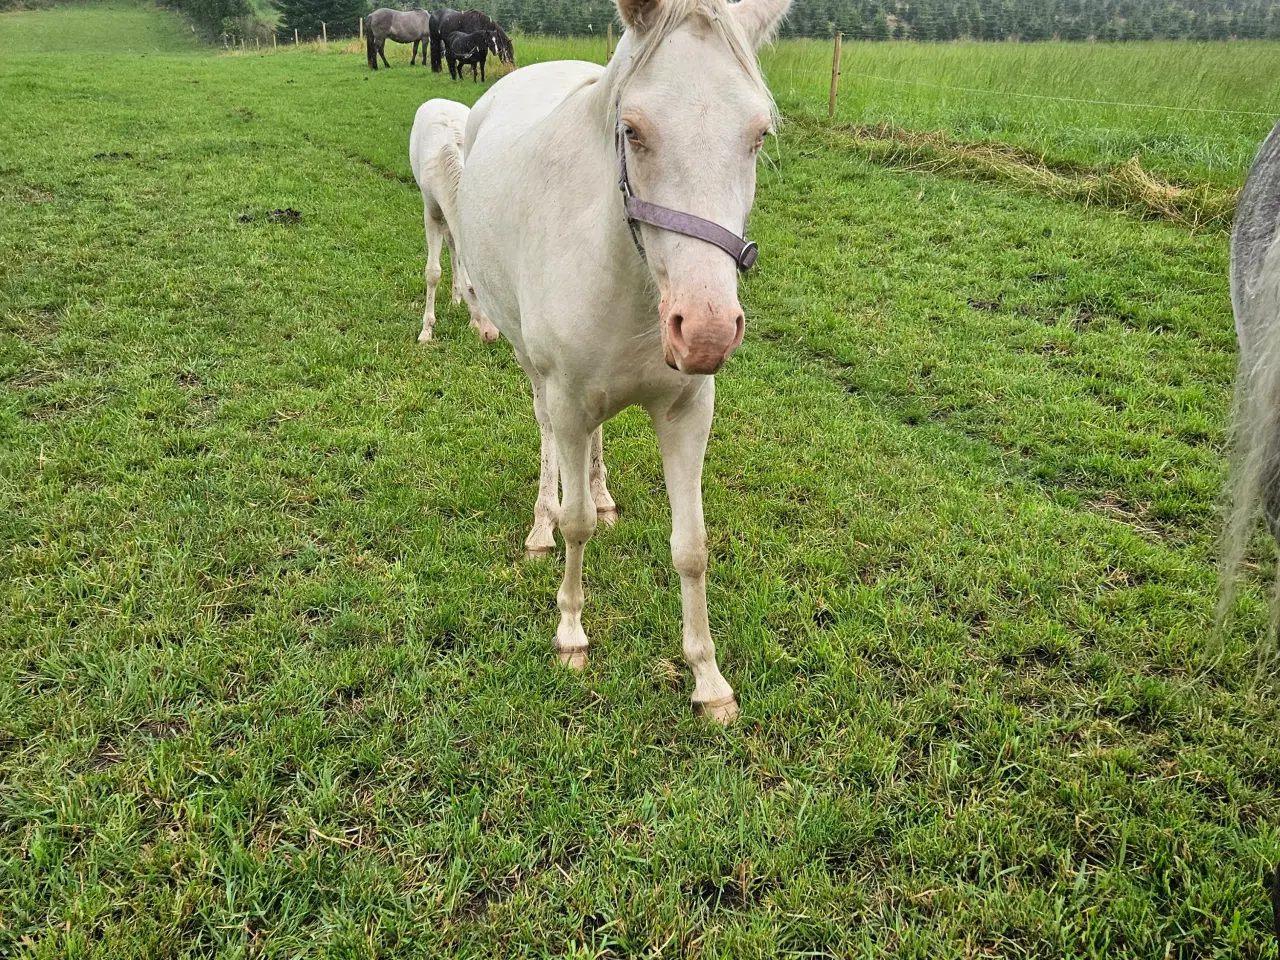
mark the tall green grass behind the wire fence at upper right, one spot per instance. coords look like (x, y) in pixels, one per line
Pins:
(993, 92)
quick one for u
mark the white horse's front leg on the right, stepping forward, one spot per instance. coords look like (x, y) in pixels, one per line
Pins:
(683, 438)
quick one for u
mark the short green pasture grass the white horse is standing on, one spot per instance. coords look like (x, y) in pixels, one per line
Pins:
(276, 680)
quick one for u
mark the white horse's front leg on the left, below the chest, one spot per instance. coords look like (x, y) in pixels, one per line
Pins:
(577, 523)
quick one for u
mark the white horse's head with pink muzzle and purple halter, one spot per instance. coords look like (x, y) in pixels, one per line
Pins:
(688, 140)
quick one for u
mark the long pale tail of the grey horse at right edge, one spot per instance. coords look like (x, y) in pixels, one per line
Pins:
(1255, 482)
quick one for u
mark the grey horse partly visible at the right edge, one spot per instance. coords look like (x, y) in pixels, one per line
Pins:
(1256, 300)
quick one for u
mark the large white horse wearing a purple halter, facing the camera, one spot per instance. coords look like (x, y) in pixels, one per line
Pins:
(605, 313)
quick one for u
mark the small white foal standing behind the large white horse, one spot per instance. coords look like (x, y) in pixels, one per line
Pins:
(436, 156)
